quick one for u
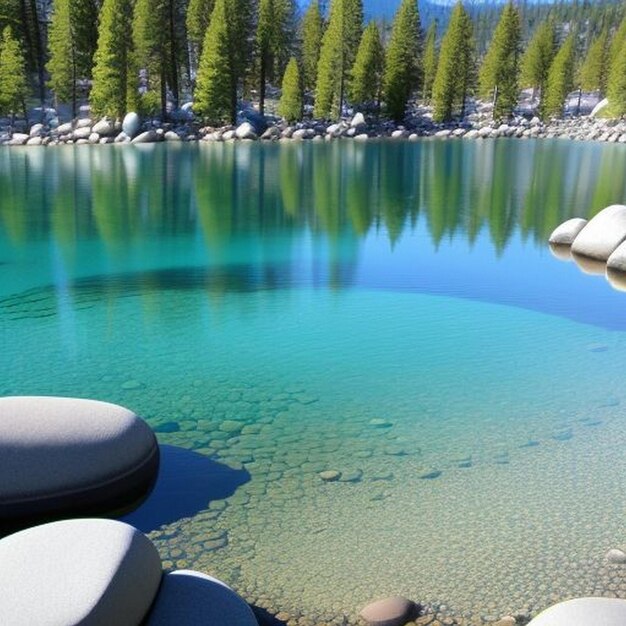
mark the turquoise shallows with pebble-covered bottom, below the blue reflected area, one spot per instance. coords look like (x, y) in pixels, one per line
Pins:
(375, 467)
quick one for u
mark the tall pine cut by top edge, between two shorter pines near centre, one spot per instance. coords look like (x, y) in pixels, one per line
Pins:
(337, 54)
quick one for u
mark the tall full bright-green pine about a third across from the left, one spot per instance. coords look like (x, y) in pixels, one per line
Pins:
(213, 86)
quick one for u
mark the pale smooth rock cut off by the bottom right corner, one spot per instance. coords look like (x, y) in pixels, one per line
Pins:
(584, 612)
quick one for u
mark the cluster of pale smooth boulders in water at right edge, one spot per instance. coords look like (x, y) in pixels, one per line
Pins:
(598, 246)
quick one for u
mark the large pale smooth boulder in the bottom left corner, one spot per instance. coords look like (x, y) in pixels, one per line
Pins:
(91, 572)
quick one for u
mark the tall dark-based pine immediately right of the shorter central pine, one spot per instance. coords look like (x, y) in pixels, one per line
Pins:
(403, 59)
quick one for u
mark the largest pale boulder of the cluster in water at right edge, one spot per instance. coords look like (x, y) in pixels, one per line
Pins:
(602, 234)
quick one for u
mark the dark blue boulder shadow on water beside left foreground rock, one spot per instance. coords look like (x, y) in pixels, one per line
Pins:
(186, 484)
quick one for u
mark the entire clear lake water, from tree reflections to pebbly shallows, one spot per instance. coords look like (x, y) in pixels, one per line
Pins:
(387, 311)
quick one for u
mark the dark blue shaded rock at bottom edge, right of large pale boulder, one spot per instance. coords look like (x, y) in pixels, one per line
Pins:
(189, 598)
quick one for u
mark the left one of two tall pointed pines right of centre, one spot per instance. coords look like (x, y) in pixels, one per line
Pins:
(456, 71)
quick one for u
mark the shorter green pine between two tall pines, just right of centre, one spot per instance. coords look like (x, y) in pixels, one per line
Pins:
(367, 72)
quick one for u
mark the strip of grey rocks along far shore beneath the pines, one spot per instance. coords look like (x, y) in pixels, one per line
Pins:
(477, 126)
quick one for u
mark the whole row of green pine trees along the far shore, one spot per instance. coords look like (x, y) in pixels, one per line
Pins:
(143, 54)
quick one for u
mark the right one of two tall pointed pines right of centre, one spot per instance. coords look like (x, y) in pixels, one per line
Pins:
(500, 69)
